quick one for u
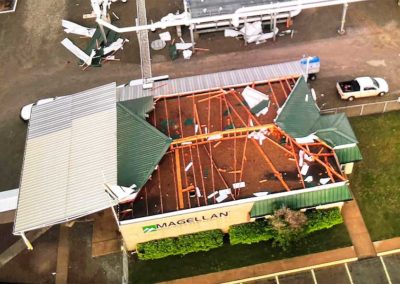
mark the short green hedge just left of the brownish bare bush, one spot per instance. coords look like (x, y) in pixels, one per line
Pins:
(249, 233)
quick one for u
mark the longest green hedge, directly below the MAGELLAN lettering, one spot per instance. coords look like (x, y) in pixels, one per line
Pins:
(202, 241)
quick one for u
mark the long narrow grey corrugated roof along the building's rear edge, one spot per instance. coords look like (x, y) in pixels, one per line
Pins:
(214, 81)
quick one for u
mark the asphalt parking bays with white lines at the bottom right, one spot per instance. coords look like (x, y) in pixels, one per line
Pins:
(384, 269)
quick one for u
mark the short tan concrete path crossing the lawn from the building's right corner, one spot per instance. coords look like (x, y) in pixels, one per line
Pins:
(357, 230)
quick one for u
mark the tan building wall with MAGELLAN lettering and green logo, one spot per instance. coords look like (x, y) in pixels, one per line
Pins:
(186, 223)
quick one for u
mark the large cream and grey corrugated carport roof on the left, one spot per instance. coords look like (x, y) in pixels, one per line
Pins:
(70, 153)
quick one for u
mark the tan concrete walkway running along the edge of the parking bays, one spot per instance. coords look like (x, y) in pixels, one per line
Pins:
(288, 265)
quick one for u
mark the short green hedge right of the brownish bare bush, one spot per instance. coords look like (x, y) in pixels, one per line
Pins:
(322, 219)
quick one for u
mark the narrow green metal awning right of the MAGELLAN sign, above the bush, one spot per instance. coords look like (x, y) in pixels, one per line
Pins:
(301, 200)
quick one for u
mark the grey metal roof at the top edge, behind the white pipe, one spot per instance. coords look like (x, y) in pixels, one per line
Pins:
(206, 8)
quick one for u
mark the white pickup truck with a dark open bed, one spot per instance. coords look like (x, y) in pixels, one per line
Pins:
(362, 87)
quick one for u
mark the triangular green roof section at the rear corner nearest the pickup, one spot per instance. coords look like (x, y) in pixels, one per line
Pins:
(300, 112)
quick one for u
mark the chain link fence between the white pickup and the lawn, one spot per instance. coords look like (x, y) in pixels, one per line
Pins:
(366, 109)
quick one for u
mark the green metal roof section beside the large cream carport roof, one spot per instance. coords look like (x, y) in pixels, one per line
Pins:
(140, 147)
